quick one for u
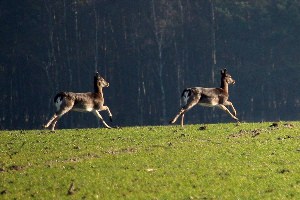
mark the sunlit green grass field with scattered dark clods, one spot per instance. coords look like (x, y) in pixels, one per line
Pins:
(215, 161)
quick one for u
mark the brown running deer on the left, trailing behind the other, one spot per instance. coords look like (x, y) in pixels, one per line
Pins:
(81, 102)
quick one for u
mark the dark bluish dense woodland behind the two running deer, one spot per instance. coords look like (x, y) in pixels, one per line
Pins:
(149, 51)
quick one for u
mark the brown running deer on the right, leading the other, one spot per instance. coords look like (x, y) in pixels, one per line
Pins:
(210, 97)
